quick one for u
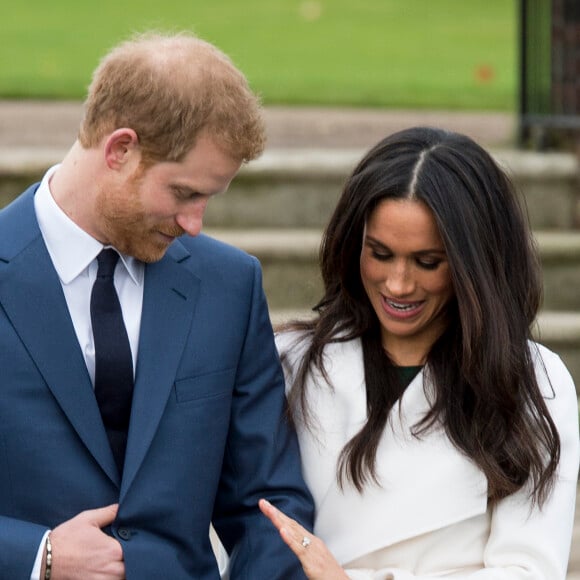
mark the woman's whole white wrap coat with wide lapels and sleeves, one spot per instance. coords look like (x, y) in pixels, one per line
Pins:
(429, 517)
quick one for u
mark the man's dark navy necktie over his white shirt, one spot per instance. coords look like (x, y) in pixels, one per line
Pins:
(113, 361)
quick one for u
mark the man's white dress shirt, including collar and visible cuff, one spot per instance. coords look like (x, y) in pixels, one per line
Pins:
(73, 253)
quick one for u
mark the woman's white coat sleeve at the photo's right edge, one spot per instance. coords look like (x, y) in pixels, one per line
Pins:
(526, 542)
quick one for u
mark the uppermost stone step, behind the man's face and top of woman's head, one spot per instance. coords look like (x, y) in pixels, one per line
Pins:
(289, 188)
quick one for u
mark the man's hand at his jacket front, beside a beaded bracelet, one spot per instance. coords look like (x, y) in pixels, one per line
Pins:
(82, 551)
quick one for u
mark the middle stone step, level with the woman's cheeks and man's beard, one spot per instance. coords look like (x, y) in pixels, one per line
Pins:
(291, 278)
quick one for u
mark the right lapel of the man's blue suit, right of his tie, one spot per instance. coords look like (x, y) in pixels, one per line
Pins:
(169, 300)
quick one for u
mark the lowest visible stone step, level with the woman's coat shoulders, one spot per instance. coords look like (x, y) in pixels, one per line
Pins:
(559, 331)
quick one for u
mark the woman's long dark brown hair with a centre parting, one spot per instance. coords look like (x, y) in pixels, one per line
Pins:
(485, 390)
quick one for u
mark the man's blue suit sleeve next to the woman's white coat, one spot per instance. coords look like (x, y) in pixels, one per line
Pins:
(261, 459)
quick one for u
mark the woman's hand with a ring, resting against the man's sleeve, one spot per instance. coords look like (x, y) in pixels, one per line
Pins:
(318, 563)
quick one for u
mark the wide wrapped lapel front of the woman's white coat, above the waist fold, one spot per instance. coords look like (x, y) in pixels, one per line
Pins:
(426, 484)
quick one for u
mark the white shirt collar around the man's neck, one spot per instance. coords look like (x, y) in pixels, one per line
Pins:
(71, 248)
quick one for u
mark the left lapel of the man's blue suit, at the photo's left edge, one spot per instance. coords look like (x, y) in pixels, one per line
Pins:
(38, 312)
